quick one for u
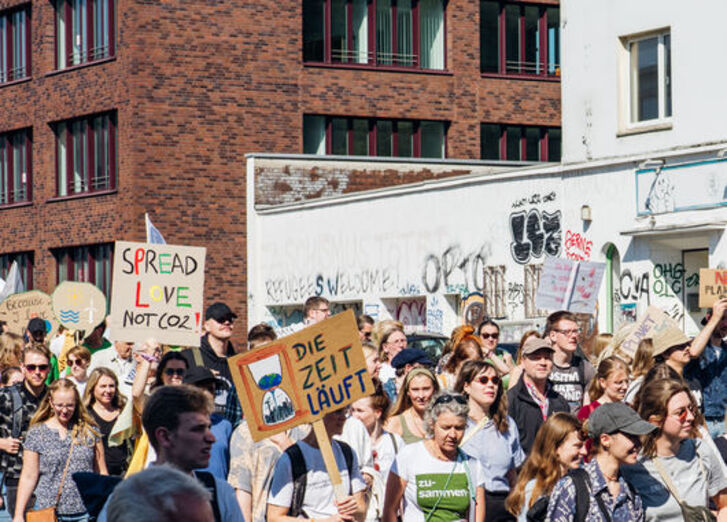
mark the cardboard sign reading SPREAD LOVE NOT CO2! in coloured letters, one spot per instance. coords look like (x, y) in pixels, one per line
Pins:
(157, 292)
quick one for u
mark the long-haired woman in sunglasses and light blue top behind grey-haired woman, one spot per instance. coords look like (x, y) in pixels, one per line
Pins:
(491, 436)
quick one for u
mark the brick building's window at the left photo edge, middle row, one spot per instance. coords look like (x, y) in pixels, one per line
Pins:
(15, 177)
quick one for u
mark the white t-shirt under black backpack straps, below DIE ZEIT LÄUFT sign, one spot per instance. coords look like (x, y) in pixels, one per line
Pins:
(319, 494)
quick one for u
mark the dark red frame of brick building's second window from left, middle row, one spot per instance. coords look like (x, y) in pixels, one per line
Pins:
(89, 156)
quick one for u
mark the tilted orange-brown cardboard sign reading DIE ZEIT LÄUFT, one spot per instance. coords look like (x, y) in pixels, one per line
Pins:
(299, 378)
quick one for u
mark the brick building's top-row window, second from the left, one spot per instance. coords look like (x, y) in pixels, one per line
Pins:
(84, 31)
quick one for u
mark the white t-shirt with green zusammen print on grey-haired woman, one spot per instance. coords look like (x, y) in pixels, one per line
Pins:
(430, 483)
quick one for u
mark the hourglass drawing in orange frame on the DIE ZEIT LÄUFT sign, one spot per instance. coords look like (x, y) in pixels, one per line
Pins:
(271, 372)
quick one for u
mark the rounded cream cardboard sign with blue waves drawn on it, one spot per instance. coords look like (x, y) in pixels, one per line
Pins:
(79, 306)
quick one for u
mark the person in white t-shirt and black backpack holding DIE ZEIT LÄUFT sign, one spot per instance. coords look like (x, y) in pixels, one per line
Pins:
(302, 486)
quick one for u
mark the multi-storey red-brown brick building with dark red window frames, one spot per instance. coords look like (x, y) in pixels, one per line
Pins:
(113, 108)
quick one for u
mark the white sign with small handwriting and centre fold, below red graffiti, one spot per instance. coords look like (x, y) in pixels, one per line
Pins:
(569, 285)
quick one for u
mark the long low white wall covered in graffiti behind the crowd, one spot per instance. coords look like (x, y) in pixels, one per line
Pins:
(443, 252)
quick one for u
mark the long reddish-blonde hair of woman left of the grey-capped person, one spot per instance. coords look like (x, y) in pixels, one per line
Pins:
(543, 463)
